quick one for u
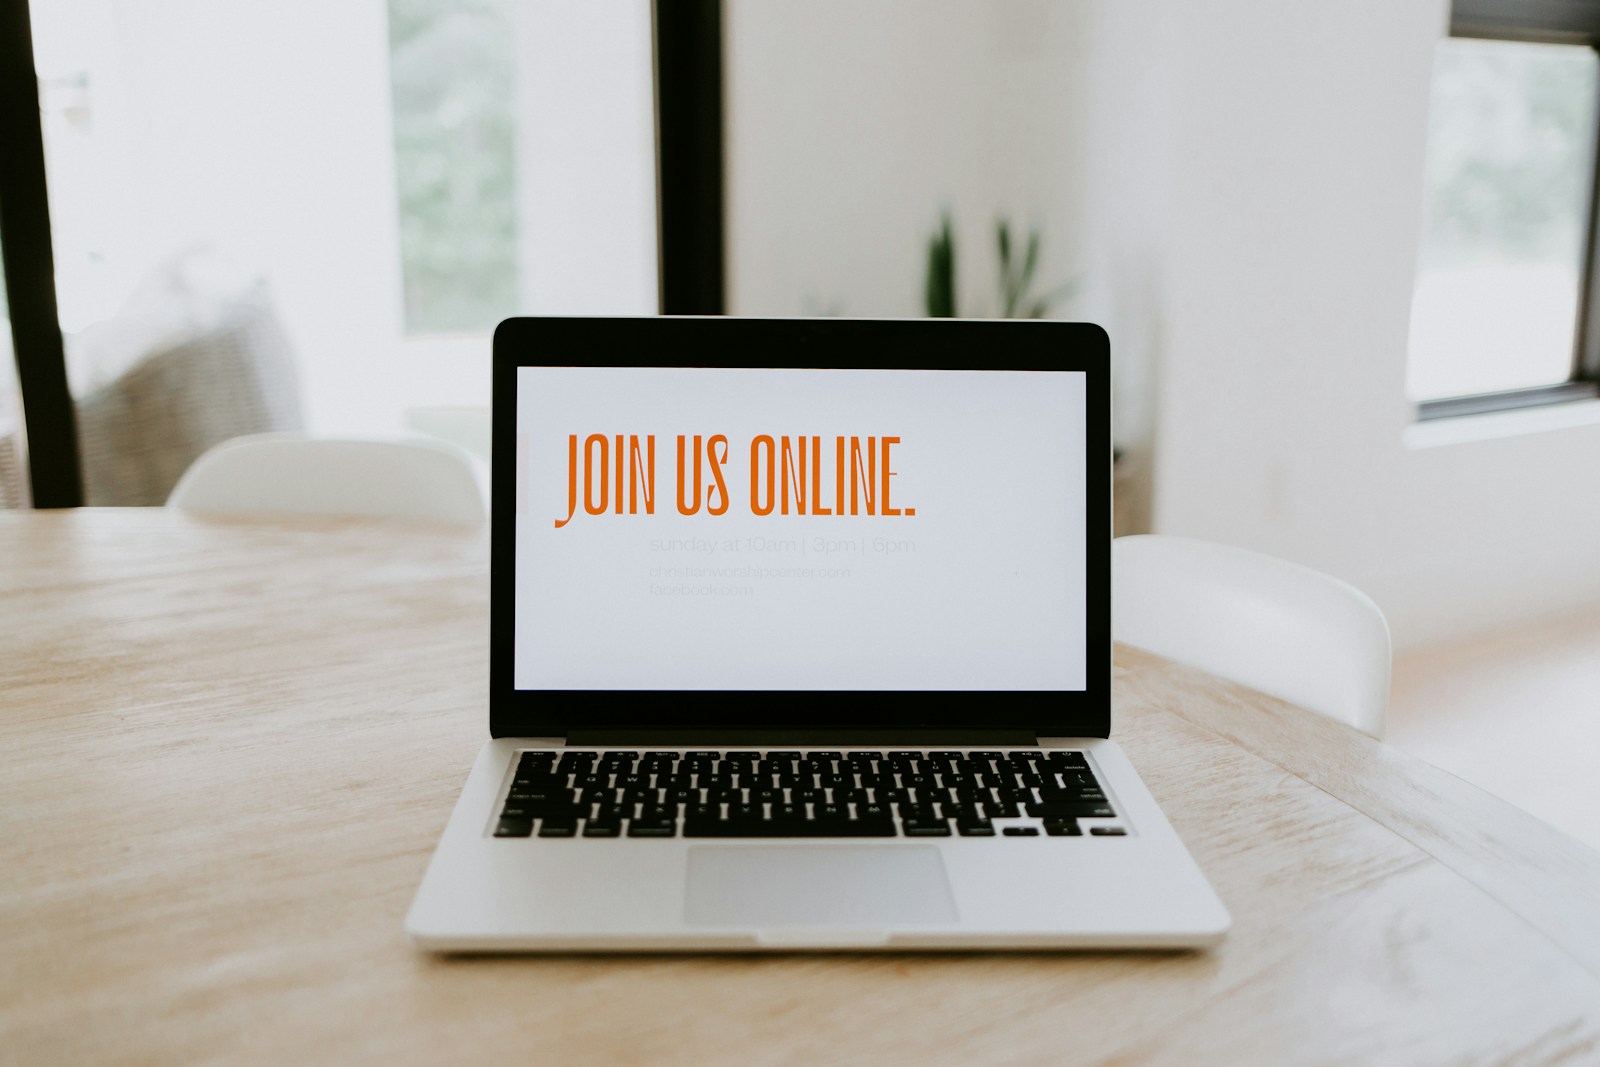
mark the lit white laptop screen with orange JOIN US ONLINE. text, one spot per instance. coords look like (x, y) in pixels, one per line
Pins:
(838, 530)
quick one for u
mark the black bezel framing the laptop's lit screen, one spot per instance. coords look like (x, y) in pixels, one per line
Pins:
(801, 343)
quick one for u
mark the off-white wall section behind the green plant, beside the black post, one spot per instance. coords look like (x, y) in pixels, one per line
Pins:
(852, 126)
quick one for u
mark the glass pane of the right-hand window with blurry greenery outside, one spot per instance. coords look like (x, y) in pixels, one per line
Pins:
(1506, 218)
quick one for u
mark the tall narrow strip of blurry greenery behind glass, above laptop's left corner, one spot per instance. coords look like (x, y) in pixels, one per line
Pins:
(454, 84)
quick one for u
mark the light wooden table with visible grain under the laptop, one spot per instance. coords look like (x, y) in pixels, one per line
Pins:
(228, 749)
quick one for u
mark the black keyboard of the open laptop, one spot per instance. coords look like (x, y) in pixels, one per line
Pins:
(746, 793)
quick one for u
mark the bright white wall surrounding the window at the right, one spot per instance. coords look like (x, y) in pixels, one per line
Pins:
(1295, 214)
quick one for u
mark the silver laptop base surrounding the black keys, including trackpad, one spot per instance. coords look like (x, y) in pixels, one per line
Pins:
(1138, 890)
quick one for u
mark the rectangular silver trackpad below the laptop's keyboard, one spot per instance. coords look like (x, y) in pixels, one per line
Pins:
(817, 885)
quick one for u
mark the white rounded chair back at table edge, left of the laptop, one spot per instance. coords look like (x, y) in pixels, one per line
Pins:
(292, 474)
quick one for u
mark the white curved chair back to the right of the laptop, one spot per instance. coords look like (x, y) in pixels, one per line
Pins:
(1266, 623)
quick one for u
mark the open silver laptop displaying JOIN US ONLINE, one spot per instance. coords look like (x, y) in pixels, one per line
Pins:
(801, 639)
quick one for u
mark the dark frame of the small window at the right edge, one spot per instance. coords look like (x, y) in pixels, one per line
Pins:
(1550, 23)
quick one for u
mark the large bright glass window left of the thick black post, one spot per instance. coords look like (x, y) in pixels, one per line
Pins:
(378, 193)
